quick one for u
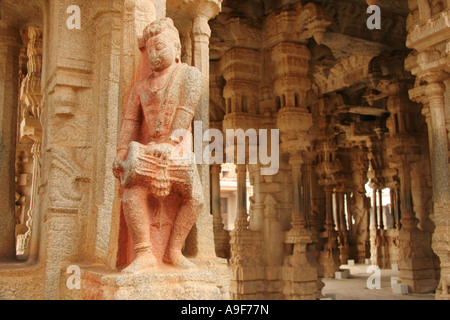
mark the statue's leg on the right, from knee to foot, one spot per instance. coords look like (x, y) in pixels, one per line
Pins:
(184, 221)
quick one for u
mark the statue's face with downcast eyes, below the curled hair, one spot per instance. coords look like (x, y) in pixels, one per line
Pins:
(161, 51)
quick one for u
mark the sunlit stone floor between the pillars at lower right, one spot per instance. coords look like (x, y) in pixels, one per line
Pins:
(355, 287)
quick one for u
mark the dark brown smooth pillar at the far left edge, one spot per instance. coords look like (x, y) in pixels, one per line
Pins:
(9, 91)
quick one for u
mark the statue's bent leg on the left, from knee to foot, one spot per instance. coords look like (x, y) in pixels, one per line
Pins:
(137, 215)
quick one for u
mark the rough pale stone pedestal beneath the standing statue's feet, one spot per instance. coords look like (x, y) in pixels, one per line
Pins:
(209, 282)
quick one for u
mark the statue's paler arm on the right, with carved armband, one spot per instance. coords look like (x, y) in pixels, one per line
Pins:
(190, 94)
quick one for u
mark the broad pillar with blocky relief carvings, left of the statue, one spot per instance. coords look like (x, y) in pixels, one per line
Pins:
(67, 144)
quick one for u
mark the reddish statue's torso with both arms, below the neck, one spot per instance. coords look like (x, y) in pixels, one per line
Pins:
(158, 112)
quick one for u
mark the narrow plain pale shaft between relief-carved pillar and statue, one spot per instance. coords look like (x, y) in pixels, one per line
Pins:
(108, 36)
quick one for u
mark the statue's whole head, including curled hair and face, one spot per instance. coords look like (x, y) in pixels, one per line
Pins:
(162, 42)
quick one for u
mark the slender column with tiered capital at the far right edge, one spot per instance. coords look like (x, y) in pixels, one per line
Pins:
(428, 36)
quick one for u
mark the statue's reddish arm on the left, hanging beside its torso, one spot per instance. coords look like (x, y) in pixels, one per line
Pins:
(131, 121)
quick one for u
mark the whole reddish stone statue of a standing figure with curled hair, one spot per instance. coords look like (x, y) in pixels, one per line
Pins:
(162, 198)
